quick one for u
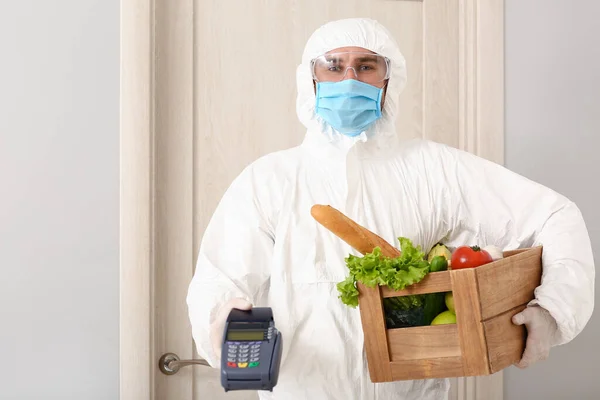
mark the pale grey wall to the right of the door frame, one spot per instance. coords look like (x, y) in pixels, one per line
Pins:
(553, 137)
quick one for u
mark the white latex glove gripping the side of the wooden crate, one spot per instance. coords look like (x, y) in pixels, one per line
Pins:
(541, 333)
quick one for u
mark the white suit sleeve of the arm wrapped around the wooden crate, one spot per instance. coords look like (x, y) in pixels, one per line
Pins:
(502, 208)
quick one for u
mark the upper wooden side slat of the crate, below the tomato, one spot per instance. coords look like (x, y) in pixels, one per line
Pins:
(509, 282)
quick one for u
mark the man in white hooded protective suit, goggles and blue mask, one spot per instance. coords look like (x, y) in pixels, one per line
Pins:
(263, 248)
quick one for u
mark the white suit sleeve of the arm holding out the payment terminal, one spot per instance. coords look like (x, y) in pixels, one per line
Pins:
(234, 259)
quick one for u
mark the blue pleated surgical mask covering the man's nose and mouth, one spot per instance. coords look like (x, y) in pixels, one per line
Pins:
(349, 106)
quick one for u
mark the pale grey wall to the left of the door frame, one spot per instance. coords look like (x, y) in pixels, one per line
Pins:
(59, 233)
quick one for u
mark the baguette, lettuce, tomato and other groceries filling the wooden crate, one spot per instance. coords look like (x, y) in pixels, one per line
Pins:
(384, 265)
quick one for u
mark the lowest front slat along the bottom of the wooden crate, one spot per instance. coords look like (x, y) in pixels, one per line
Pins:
(427, 369)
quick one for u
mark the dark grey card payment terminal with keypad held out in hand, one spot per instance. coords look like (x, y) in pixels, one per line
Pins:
(251, 352)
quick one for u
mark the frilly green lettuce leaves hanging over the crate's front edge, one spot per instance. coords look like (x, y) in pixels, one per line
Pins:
(375, 269)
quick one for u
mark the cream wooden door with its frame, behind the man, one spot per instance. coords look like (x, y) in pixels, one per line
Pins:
(207, 86)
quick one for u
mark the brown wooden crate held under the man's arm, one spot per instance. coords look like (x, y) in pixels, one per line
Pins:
(483, 341)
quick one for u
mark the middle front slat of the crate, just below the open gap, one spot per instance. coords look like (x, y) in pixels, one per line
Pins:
(423, 342)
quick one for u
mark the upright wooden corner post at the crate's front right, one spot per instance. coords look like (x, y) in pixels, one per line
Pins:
(468, 318)
